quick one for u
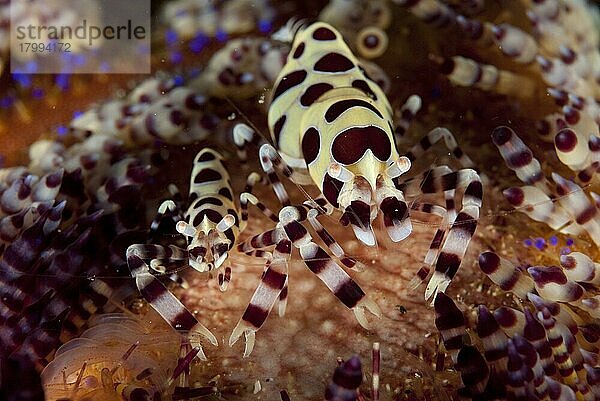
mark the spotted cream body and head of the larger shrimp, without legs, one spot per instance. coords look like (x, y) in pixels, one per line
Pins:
(328, 118)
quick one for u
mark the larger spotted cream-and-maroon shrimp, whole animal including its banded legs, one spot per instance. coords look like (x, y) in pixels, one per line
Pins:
(332, 127)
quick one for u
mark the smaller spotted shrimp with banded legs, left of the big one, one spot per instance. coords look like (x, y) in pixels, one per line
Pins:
(211, 225)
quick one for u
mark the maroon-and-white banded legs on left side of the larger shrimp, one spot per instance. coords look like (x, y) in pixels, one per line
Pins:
(289, 231)
